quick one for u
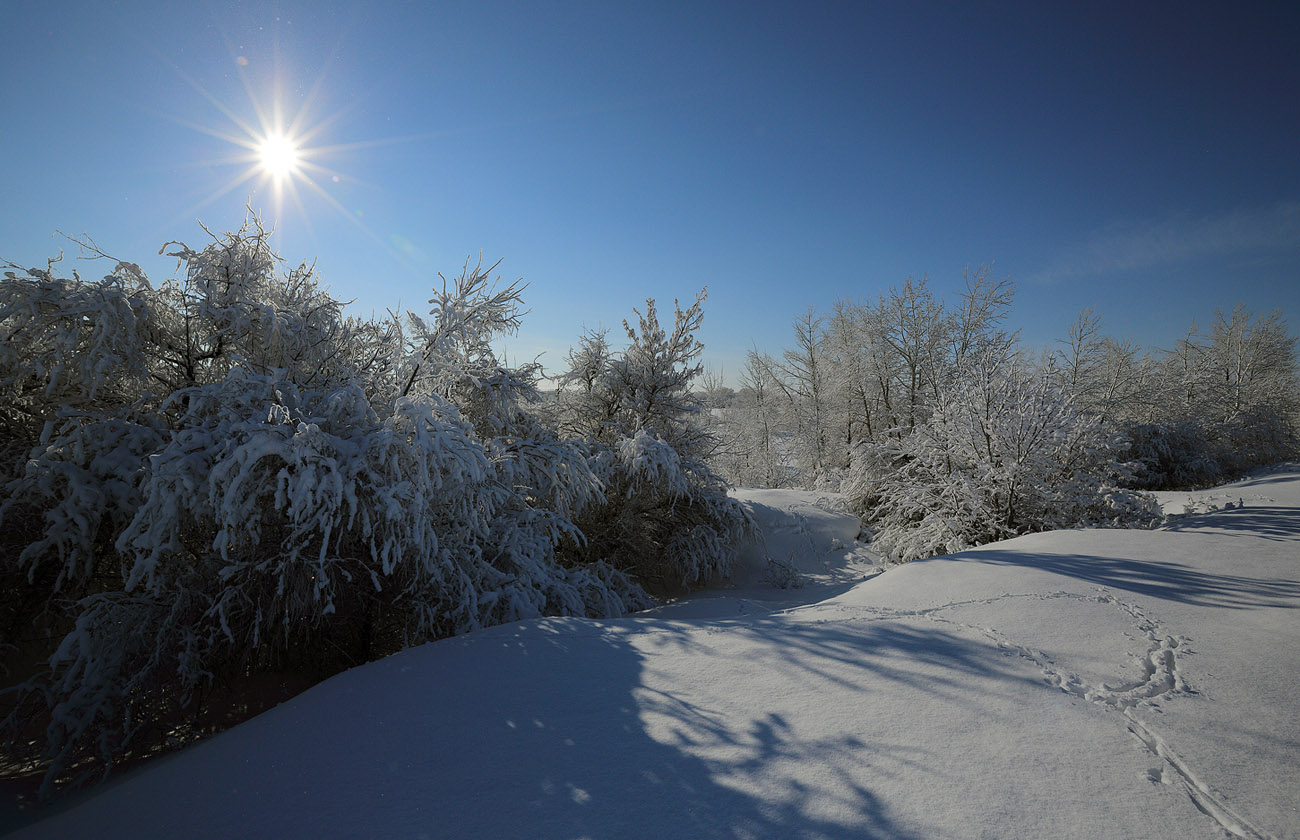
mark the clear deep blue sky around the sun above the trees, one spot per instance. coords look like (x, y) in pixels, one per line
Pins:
(1142, 158)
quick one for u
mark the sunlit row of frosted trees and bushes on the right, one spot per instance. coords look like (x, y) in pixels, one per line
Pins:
(944, 432)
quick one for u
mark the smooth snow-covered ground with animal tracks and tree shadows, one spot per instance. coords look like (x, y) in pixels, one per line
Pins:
(1069, 685)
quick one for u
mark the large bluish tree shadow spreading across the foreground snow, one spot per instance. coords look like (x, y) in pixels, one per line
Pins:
(554, 729)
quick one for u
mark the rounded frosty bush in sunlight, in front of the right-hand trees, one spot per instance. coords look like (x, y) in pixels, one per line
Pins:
(1006, 453)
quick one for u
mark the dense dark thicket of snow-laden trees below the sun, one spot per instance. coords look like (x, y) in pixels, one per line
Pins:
(224, 478)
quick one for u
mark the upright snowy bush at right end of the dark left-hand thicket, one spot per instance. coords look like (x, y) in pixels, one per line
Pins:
(666, 518)
